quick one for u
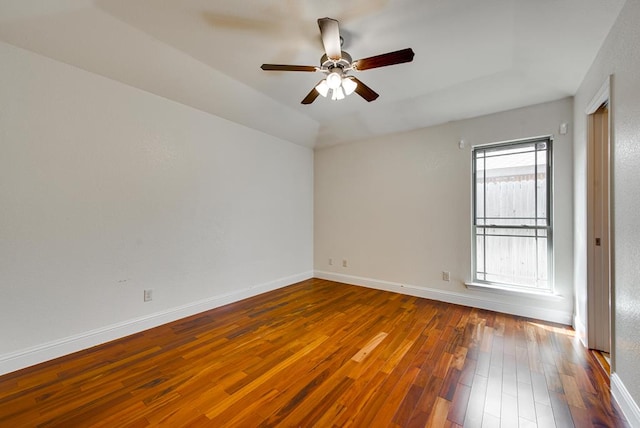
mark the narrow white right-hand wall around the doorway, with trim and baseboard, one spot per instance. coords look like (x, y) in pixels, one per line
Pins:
(618, 57)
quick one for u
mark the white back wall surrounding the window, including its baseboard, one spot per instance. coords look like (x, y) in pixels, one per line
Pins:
(397, 208)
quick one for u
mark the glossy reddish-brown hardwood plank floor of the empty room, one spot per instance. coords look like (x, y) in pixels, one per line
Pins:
(324, 354)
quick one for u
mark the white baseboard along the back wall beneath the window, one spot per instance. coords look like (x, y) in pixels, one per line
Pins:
(524, 309)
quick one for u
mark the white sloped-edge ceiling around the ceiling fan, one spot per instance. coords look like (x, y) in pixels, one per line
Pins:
(472, 57)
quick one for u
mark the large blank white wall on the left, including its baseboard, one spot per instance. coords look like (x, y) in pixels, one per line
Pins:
(107, 190)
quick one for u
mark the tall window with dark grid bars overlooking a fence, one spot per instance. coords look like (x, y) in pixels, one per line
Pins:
(512, 214)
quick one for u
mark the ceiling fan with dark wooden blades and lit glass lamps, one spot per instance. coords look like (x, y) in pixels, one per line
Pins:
(336, 64)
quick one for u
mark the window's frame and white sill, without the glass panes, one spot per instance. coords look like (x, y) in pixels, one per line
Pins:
(547, 226)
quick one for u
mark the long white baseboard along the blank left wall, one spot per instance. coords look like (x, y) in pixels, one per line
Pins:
(47, 351)
